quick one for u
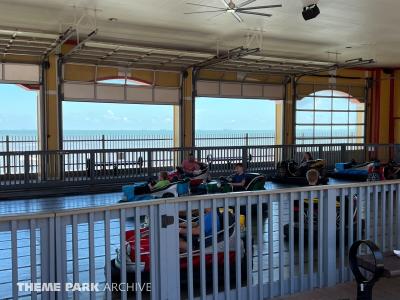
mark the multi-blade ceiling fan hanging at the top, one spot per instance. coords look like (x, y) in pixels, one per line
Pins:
(234, 9)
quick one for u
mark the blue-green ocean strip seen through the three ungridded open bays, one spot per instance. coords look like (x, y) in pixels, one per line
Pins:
(26, 140)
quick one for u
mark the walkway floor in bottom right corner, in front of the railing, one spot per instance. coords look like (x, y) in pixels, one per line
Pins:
(385, 289)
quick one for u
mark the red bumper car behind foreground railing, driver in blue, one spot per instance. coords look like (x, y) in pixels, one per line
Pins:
(145, 254)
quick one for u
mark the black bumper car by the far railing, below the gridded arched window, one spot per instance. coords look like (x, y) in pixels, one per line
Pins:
(289, 172)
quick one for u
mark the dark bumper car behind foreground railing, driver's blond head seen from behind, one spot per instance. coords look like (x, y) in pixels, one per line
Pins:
(314, 216)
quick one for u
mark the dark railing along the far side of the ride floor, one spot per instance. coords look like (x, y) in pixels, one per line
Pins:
(90, 167)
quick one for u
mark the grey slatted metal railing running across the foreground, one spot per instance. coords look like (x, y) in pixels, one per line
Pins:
(284, 243)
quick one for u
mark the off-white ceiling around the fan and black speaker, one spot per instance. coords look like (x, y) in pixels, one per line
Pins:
(369, 27)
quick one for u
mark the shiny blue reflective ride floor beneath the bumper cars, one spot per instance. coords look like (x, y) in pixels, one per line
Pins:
(43, 205)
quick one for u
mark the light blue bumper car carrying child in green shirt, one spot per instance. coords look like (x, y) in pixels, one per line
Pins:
(139, 191)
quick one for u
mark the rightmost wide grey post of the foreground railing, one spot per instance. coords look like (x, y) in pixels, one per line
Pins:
(329, 242)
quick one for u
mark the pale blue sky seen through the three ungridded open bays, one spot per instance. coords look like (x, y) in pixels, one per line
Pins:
(19, 112)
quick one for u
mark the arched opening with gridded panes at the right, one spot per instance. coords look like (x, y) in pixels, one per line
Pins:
(330, 117)
